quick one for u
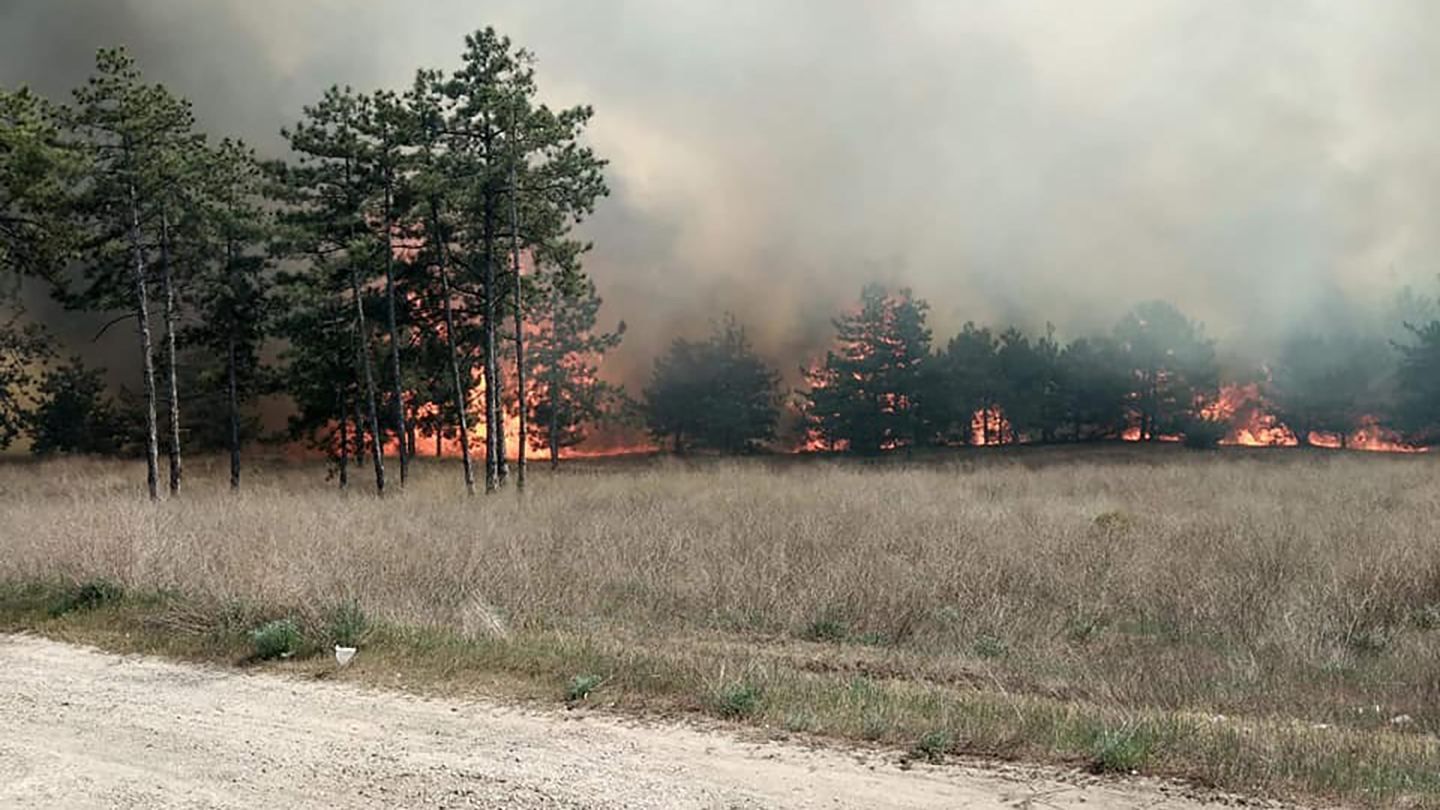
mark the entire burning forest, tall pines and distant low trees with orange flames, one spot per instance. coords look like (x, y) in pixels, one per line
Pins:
(410, 277)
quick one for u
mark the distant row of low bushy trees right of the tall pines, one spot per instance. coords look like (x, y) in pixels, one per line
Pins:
(888, 386)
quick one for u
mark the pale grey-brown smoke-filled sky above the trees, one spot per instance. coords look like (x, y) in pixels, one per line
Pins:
(1010, 161)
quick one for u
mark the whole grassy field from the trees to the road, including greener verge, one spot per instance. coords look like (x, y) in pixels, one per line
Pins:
(1264, 622)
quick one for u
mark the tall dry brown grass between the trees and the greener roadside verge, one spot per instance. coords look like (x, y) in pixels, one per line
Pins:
(1269, 586)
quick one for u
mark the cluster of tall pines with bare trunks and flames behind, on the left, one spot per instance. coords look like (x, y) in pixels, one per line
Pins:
(408, 270)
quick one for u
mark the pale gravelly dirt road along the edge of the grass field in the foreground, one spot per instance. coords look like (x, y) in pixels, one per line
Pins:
(83, 729)
